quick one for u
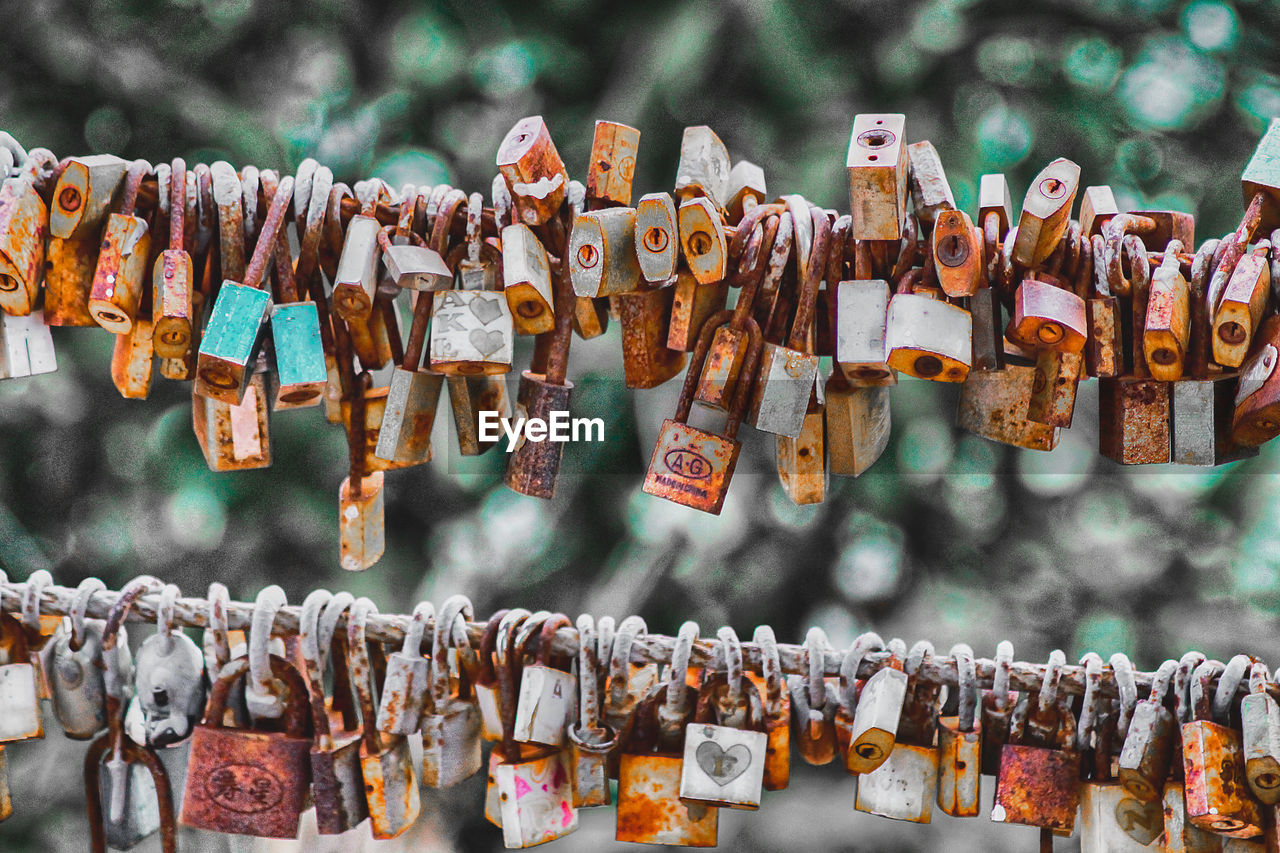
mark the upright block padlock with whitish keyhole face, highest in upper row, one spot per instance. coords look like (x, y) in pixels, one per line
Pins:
(877, 166)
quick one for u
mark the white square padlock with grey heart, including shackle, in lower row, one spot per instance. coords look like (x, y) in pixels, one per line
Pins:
(725, 745)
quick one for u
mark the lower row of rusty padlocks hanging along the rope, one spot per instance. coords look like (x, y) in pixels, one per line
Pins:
(246, 738)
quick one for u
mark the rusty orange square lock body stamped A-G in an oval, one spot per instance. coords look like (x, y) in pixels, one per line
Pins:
(692, 467)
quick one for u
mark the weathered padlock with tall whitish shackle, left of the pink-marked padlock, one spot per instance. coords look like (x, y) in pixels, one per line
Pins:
(451, 729)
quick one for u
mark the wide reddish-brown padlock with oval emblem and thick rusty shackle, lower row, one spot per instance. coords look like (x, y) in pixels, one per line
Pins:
(245, 782)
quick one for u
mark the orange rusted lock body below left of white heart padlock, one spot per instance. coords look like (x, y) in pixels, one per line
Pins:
(651, 810)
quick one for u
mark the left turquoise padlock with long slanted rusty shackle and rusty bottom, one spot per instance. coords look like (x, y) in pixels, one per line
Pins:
(234, 335)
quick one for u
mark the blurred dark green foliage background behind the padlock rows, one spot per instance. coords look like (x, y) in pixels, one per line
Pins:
(948, 537)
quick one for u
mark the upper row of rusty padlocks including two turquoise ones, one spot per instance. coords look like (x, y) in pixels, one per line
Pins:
(904, 284)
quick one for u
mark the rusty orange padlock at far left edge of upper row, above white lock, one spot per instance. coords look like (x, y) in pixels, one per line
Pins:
(24, 226)
